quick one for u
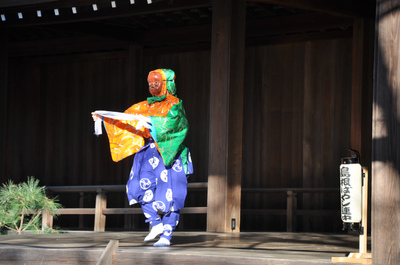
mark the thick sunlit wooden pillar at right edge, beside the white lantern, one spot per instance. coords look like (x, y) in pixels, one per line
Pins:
(386, 136)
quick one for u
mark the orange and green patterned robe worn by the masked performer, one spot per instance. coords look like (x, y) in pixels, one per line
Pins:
(169, 128)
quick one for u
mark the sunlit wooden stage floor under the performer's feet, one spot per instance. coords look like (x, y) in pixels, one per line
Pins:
(78, 247)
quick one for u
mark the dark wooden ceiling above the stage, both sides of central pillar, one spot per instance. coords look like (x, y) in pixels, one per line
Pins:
(175, 24)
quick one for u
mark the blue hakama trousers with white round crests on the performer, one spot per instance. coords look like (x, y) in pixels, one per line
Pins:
(160, 190)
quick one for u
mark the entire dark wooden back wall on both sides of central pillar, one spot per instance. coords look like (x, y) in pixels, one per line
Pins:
(296, 120)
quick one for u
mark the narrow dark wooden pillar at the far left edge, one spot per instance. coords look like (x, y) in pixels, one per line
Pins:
(3, 99)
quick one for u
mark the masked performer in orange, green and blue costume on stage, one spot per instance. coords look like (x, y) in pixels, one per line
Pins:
(153, 130)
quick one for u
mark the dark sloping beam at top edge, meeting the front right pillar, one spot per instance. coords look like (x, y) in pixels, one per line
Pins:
(349, 8)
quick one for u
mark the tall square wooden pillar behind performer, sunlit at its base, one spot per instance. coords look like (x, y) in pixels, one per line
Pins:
(226, 115)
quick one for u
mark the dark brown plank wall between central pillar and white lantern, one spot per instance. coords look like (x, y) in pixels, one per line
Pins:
(297, 126)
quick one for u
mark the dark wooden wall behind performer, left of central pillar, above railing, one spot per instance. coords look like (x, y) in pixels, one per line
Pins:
(50, 135)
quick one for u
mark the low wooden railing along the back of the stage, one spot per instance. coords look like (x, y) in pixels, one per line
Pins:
(100, 210)
